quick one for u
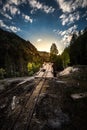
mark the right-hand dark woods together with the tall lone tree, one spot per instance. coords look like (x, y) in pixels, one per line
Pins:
(74, 54)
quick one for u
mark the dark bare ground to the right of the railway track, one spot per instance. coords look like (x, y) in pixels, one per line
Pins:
(56, 110)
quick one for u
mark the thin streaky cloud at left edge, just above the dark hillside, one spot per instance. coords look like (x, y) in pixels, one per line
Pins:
(11, 28)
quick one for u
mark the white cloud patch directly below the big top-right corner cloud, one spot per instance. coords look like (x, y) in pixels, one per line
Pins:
(69, 18)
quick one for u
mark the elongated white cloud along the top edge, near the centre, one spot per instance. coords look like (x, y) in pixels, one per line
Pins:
(36, 5)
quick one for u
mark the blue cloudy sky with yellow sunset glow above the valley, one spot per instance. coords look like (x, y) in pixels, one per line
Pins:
(43, 22)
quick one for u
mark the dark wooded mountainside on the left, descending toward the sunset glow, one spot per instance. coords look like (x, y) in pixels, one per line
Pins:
(15, 53)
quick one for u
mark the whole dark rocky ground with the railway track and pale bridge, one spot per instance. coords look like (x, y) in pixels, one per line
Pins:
(45, 103)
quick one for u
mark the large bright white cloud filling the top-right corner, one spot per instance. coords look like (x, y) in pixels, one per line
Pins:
(70, 6)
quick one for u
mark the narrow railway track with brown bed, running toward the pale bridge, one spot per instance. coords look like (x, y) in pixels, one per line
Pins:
(23, 121)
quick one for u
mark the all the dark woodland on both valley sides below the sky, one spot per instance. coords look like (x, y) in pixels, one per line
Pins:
(20, 58)
